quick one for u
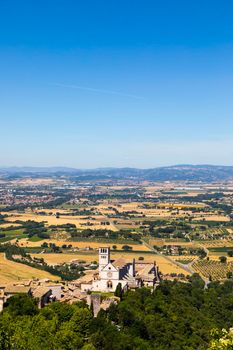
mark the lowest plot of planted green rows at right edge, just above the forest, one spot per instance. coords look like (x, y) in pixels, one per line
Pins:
(215, 269)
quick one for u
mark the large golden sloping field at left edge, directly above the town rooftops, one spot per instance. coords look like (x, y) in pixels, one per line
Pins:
(11, 271)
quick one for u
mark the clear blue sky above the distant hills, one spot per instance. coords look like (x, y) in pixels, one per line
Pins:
(116, 83)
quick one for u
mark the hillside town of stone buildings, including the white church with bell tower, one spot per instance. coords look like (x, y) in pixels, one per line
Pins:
(110, 275)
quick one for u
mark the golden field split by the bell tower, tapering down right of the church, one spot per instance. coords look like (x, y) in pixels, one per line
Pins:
(164, 265)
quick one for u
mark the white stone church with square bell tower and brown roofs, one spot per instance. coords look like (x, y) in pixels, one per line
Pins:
(131, 274)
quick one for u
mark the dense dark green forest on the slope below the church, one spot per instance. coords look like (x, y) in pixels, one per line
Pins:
(175, 316)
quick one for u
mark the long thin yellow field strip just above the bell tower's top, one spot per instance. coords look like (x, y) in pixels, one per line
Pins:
(26, 243)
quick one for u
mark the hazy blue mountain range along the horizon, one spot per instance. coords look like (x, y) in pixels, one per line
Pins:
(205, 173)
